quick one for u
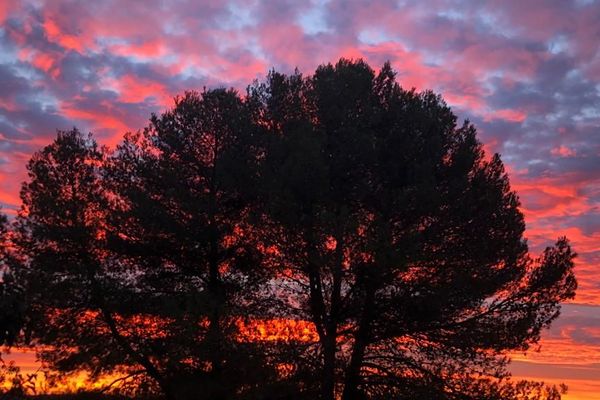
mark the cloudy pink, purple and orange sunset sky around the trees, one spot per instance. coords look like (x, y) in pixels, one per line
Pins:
(526, 73)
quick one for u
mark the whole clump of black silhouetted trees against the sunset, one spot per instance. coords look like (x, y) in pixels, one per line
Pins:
(338, 199)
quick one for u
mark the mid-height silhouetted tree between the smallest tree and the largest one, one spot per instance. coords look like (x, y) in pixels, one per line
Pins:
(183, 195)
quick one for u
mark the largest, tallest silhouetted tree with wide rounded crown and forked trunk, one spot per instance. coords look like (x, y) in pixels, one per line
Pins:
(404, 242)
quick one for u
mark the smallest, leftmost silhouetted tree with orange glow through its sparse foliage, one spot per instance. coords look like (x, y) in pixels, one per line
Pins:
(74, 288)
